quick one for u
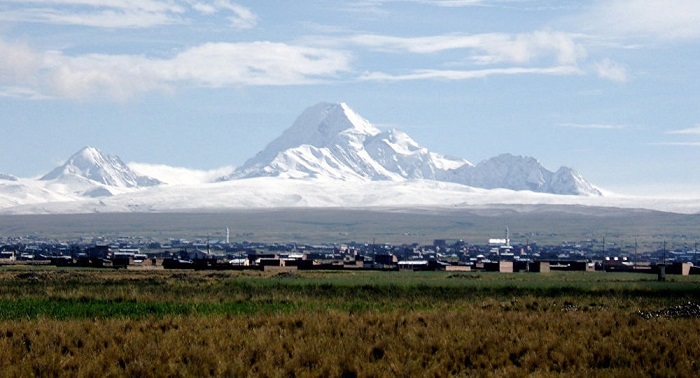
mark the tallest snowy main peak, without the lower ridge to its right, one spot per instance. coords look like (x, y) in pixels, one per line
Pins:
(332, 141)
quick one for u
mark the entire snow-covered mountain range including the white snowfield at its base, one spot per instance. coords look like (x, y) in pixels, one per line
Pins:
(328, 147)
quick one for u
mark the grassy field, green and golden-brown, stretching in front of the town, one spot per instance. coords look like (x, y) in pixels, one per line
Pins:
(183, 323)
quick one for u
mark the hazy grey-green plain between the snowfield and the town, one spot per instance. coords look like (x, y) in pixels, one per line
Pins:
(535, 224)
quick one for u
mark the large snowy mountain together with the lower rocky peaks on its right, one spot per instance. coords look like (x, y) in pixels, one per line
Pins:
(332, 141)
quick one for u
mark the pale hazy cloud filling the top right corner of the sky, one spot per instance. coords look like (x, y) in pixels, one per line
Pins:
(660, 19)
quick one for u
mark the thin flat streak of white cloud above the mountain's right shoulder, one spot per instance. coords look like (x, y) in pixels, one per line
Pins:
(468, 74)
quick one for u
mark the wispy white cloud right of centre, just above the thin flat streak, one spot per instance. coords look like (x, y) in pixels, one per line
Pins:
(489, 48)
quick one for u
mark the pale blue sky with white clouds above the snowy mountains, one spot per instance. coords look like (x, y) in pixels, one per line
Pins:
(610, 88)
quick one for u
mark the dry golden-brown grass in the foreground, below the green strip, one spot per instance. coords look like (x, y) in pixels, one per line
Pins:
(486, 340)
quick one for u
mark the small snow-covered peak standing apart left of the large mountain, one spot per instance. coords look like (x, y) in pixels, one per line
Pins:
(108, 170)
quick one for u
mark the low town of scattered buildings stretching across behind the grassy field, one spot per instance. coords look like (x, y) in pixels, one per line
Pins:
(495, 254)
